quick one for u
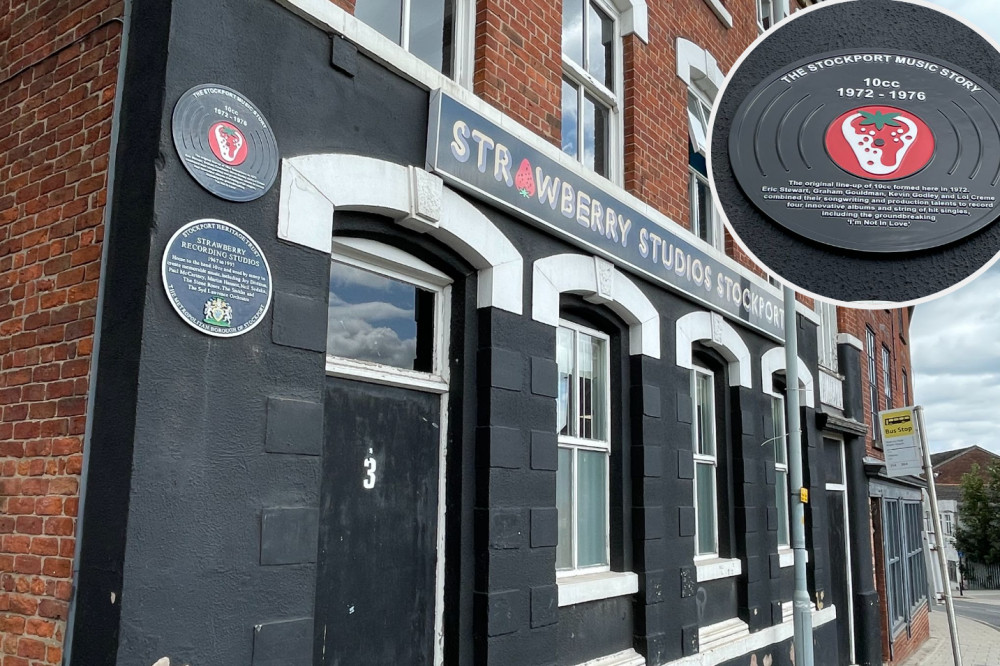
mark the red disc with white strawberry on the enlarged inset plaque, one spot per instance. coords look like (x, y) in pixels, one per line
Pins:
(880, 142)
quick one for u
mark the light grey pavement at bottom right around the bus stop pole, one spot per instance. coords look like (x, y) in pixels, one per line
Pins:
(978, 640)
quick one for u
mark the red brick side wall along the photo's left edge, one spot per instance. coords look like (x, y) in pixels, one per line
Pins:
(58, 69)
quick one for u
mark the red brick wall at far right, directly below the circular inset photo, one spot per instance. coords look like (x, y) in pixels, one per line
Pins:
(891, 328)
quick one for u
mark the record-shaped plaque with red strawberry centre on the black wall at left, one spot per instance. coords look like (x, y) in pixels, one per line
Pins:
(225, 143)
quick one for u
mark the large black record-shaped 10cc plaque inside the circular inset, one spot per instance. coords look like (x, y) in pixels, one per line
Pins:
(871, 150)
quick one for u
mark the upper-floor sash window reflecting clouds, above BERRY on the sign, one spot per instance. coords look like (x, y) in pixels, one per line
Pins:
(591, 89)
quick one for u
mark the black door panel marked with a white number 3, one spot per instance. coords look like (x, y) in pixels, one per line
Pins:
(378, 526)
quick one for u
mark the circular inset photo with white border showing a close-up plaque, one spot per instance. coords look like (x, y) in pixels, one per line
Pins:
(855, 151)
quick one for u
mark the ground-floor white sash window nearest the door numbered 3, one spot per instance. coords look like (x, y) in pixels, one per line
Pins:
(583, 421)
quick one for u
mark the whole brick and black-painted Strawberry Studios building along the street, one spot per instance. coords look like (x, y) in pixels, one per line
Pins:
(514, 395)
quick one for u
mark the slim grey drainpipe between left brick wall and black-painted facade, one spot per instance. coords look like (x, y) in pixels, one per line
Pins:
(85, 466)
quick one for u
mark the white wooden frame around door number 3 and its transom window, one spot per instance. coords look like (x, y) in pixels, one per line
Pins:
(395, 263)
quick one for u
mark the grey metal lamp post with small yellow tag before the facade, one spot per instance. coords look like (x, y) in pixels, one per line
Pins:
(802, 606)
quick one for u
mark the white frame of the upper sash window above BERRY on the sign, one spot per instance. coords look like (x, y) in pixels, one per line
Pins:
(613, 100)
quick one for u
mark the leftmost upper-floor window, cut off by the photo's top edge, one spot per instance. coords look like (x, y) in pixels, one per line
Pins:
(432, 30)
